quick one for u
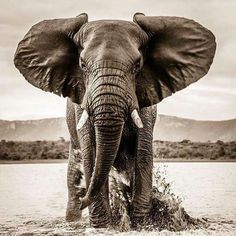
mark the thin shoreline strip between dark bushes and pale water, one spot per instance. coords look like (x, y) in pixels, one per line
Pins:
(55, 161)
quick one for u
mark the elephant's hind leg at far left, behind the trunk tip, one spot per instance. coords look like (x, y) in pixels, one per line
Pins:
(75, 189)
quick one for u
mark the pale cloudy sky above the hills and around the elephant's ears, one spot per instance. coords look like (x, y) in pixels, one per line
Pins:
(211, 98)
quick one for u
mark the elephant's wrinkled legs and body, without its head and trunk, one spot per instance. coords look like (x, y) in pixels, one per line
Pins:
(134, 156)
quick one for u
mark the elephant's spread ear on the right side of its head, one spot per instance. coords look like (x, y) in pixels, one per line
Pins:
(179, 52)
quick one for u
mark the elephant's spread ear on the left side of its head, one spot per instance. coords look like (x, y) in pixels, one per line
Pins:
(48, 58)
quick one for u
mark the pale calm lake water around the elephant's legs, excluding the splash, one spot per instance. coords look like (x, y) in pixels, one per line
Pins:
(31, 193)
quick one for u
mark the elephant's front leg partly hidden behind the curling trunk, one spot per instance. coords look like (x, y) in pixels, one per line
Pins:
(99, 210)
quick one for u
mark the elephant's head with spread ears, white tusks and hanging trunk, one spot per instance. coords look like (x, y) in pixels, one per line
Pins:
(113, 69)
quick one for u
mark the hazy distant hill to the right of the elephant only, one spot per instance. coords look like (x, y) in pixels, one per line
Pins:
(171, 128)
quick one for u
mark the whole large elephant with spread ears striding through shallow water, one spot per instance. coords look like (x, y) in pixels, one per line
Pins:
(113, 73)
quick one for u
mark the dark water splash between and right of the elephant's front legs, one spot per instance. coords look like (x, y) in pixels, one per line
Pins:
(166, 211)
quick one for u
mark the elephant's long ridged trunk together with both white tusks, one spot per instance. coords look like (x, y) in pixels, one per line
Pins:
(109, 102)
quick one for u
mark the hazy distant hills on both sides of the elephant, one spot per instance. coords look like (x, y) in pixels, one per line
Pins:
(167, 128)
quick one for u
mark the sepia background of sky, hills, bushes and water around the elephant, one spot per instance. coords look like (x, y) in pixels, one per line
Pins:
(194, 137)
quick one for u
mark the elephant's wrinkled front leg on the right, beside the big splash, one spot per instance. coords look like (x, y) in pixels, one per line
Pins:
(142, 181)
